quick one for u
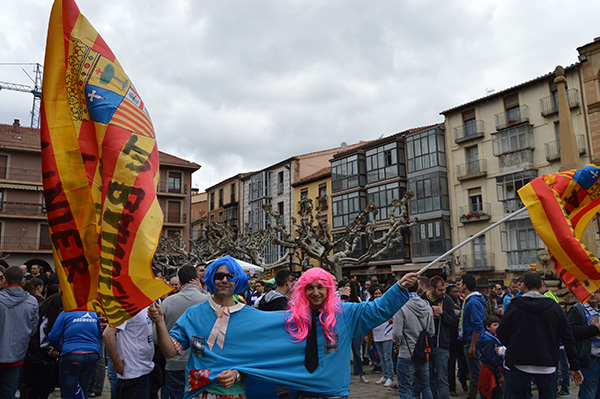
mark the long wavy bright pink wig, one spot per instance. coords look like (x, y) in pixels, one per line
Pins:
(299, 317)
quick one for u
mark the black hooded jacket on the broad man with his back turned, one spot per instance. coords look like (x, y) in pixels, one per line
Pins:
(532, 330)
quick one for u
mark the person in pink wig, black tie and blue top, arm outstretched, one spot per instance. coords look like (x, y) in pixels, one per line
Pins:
(317, 315)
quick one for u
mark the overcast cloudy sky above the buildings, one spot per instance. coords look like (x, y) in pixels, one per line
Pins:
(239, 85)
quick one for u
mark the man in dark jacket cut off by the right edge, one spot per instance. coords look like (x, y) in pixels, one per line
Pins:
(584, 322)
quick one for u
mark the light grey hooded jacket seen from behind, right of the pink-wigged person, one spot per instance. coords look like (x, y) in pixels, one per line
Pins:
(409, 321)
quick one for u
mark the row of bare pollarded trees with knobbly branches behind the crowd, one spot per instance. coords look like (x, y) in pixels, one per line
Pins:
(310, 238)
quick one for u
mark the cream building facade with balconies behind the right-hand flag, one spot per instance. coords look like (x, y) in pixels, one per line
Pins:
(495, 146)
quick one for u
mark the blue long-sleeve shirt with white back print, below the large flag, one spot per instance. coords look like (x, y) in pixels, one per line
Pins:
(76, 331)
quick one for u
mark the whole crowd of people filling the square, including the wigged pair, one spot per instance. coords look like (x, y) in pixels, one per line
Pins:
(313, 332)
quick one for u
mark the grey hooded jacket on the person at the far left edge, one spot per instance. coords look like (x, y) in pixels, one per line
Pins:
(18, 320)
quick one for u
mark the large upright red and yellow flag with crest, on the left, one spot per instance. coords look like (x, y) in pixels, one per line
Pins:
(100, 170)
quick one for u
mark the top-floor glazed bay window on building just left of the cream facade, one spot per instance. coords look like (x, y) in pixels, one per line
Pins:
(425, 150)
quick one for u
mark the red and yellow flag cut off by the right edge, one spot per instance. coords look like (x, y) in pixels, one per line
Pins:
(560, 206)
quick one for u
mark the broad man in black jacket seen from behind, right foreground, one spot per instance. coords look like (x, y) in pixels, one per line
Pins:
(532, 329)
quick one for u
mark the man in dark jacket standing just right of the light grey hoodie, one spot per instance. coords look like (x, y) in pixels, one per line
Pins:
(445, 320)
